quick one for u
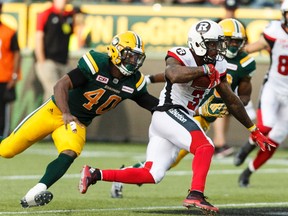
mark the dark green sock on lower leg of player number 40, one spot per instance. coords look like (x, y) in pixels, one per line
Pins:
(56, 169)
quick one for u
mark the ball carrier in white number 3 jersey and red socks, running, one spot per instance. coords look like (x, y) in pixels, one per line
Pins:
(173, 127)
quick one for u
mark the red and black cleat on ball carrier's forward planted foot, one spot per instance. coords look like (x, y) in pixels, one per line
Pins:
(198, 200)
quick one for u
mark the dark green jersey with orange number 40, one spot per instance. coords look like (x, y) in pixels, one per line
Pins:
(102, 92)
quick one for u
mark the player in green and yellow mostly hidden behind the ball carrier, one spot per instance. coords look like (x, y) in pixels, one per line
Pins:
(240, 69)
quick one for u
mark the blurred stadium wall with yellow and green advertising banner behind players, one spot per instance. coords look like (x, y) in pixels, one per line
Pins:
(161, 27)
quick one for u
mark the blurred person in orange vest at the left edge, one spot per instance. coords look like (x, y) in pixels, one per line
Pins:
(9, 71)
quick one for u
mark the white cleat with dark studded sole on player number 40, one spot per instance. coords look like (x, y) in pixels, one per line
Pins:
(40, 199)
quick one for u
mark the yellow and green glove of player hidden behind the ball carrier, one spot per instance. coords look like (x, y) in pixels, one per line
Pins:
(217, 110)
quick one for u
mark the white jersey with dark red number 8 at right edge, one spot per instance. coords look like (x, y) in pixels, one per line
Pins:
(278, 72)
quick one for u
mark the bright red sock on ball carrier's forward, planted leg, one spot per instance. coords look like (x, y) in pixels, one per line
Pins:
(200, 166)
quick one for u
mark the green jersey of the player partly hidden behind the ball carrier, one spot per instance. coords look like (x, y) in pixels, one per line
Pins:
(241, 66)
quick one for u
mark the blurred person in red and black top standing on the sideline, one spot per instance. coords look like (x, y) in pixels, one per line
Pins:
(54, 28)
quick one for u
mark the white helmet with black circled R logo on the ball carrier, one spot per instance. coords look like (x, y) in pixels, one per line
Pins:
(202, 37)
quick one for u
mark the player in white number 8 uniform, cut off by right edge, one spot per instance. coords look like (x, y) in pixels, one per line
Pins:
(272, 118)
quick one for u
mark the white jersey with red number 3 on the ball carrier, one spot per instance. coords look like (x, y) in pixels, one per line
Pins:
(184, 94)
